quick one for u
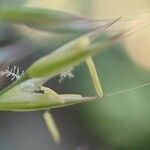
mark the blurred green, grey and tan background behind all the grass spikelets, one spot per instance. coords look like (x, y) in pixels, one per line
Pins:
(117, 122)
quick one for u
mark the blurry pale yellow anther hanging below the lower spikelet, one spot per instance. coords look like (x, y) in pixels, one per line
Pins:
(52, 126)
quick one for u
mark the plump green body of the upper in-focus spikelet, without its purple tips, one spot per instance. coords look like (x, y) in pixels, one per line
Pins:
(62, 59)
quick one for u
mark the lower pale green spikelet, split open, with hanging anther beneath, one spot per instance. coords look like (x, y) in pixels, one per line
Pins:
(28, 97)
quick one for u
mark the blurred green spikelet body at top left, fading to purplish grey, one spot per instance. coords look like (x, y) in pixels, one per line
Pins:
(47, 20)
